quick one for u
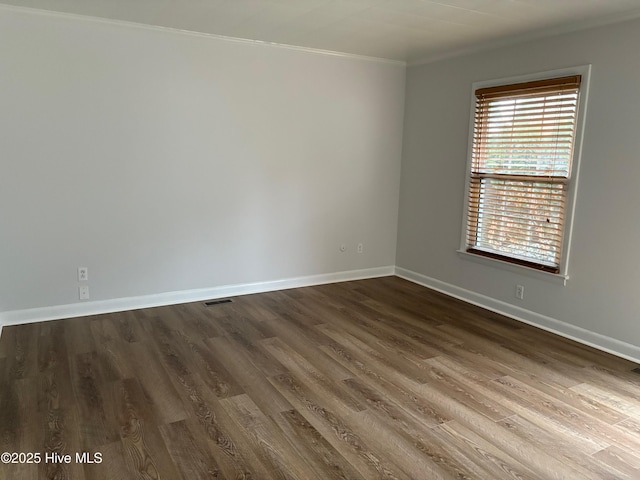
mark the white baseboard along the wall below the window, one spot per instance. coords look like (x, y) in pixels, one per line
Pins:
(581, 335)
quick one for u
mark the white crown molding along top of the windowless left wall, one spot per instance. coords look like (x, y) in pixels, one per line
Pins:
(160, 28)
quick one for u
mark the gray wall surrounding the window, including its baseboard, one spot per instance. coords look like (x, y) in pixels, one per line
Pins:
(601, 295)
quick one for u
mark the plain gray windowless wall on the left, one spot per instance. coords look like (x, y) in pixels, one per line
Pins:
(166, 162)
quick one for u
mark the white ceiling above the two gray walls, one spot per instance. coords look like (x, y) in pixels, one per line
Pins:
(403, 30)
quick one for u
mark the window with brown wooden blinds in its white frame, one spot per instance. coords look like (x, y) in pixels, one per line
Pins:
(521, 171)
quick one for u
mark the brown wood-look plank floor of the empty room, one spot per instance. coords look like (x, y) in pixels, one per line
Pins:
(374, 379)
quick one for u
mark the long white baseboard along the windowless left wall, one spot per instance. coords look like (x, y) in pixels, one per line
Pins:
(171, 298)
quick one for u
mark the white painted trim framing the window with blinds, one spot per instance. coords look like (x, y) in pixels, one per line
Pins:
(584, 71)
